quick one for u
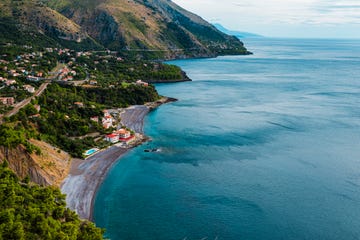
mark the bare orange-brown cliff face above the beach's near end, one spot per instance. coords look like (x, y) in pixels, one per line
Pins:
(49, 168)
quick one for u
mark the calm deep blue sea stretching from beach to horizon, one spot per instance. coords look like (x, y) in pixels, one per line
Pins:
(257, 147)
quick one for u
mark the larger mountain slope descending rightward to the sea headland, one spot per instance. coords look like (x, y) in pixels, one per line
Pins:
(147, 24)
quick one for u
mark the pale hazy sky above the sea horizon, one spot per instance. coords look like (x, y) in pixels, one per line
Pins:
(282, 18)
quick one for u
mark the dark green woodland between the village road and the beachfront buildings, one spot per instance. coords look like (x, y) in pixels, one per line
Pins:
(63, 124)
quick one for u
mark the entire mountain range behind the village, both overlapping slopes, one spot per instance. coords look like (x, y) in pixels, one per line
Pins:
(144, 28)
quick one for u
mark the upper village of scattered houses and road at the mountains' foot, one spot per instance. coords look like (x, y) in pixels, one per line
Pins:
(22, 73)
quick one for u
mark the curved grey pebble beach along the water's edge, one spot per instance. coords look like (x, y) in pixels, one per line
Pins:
(86, 176)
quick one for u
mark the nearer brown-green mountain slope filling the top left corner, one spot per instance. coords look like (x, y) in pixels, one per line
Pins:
(26, 22)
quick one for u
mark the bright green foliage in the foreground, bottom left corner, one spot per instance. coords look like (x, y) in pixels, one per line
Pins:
(28, 211)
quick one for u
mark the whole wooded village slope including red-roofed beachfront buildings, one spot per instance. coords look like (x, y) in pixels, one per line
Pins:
(65, 94)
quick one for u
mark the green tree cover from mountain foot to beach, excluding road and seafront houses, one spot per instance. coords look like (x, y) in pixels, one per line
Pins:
(60, 121)
